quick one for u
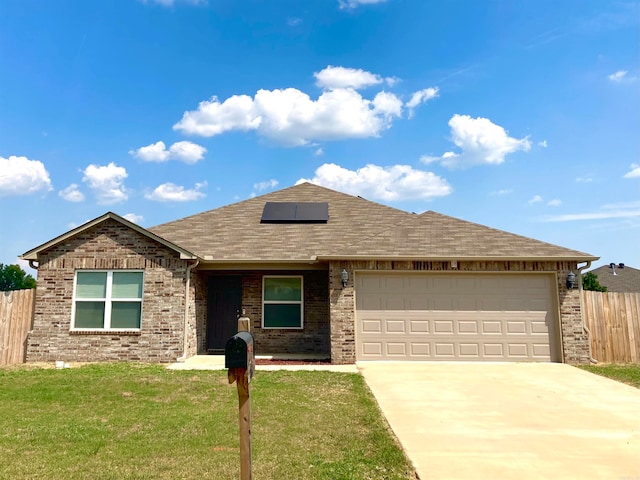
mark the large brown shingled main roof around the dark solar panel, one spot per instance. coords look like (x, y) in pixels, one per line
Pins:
(357, 228)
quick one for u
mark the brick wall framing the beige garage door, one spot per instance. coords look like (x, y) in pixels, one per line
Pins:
(575, 341)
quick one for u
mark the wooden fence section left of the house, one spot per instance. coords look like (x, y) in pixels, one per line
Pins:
(16, 319)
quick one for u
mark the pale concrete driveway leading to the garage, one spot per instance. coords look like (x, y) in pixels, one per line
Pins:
(509, 421)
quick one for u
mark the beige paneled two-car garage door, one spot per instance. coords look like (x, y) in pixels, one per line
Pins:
(457, 316)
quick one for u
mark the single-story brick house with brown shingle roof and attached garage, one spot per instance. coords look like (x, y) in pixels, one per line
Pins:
(317, 272)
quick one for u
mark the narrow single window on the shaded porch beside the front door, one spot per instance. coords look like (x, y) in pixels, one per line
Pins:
(282, 302)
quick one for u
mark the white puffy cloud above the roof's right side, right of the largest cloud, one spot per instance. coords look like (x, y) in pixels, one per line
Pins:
(482, 143)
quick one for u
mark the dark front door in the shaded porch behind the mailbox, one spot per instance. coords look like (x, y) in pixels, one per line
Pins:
(224, 309)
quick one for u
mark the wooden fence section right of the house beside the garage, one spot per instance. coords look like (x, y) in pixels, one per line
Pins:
(614, 322)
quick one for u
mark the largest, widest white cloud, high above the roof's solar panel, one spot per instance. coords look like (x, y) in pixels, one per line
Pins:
(290, 117)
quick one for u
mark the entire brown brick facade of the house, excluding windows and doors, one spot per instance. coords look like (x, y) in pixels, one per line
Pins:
(329, 309)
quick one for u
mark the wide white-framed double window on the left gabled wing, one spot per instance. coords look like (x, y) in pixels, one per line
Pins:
(107, 300)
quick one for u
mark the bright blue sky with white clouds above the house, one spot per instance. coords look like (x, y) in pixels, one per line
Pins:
(519, 115)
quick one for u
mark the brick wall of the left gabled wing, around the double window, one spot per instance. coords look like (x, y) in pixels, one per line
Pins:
(109, 246)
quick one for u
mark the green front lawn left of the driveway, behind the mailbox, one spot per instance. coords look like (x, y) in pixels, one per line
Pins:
(133, 421)
